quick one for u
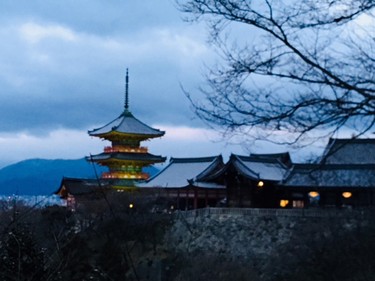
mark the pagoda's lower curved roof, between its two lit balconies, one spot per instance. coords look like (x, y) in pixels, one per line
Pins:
(144, 157)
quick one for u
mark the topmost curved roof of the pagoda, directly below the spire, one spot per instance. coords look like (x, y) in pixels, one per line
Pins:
(126, 123)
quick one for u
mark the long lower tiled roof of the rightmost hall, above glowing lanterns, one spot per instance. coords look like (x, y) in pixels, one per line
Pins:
(330, 175)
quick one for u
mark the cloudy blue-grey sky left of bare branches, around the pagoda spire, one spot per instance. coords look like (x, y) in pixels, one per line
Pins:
(62, 69)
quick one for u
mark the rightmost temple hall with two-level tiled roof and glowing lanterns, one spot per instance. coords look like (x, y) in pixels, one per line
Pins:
(344, 177)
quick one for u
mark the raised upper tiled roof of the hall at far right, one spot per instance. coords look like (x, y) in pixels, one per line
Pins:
(349, 151)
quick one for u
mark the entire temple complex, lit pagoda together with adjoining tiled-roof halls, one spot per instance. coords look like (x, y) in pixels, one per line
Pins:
(344, 177)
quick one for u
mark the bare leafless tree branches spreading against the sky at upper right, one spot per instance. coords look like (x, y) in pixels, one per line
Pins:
(305, 69)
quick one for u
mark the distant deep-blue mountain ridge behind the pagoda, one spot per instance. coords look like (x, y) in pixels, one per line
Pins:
(43, 176)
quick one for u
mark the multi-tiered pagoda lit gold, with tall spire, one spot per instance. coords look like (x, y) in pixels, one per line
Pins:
(125, 158)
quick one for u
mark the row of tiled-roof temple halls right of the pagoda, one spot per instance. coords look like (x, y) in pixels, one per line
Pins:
(344, 177)
